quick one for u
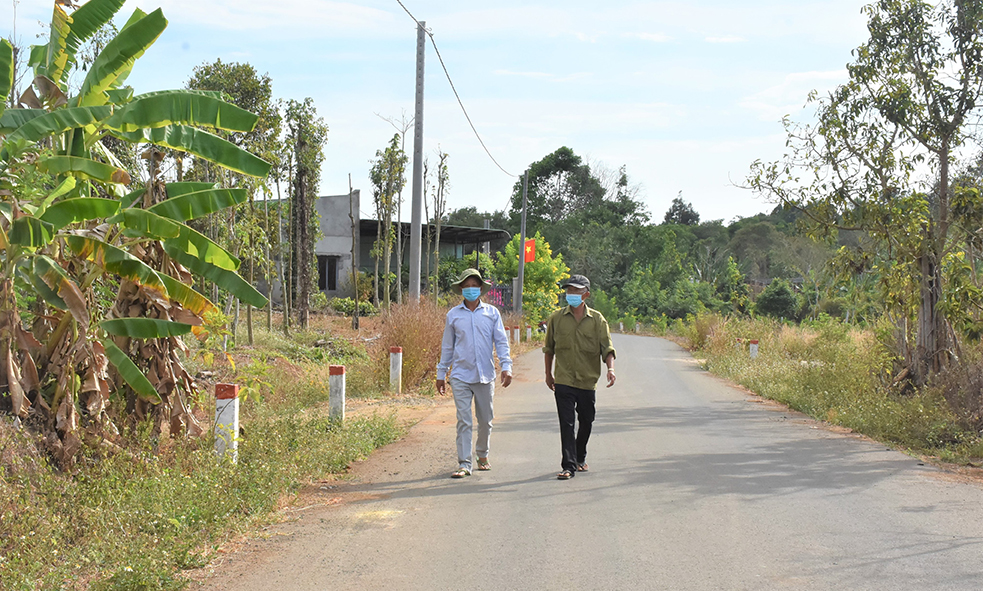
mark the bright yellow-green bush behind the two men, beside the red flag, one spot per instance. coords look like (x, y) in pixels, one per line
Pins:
(541, 276)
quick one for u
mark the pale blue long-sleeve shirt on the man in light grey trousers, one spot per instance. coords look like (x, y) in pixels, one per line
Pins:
(466, 348)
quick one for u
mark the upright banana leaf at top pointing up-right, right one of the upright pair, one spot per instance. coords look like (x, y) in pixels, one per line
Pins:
(118, 57)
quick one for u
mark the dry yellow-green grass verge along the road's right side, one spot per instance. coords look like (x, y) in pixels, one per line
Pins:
(839, 375)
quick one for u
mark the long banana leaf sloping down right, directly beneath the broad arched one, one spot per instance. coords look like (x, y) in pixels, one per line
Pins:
(203, 144)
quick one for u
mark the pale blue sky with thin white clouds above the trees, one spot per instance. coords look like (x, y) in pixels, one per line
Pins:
(685, 95)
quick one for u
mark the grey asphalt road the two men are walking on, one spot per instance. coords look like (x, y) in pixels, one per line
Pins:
(694, 484)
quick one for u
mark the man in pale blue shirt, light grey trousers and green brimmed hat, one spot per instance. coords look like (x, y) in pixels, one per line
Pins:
(470, 332)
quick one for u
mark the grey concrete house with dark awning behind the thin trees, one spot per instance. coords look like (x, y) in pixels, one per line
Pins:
(333, 247)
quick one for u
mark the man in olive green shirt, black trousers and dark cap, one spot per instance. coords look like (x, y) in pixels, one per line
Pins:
(578, 338)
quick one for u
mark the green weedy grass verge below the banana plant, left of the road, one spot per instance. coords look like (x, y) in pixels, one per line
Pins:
(132, 520)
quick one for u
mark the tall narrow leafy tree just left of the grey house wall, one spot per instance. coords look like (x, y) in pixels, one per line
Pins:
(306, 136)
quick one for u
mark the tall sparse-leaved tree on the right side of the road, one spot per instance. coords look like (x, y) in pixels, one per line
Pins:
(913, 96)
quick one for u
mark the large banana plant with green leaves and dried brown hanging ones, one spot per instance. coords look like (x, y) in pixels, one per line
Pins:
(71, 221)
